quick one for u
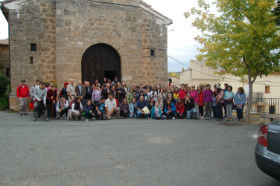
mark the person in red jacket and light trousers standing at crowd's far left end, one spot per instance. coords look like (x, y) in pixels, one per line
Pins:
(23, 94)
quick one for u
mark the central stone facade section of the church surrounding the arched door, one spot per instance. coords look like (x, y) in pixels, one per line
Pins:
(81, 24)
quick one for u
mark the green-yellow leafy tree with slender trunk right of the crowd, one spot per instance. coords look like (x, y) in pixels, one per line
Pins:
(240, 38)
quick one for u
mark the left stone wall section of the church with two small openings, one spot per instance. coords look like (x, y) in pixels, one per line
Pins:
(33, 22)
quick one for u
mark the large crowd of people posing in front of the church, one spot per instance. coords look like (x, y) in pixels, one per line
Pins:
(113, 99)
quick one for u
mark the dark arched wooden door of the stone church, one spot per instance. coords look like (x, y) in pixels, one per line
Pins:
(99, 61)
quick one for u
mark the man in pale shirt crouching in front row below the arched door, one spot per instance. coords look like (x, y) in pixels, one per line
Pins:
(111, 107)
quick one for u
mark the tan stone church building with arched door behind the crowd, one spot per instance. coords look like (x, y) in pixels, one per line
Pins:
(85, 39)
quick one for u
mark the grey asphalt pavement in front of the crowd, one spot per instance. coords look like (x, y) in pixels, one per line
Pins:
(127, 153)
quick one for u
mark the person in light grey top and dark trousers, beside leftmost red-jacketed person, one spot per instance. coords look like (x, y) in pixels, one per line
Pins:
(39, 99)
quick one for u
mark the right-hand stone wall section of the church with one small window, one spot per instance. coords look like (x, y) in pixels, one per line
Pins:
(154, 37)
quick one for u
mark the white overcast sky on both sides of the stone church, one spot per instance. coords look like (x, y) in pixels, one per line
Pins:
(181, 44)
